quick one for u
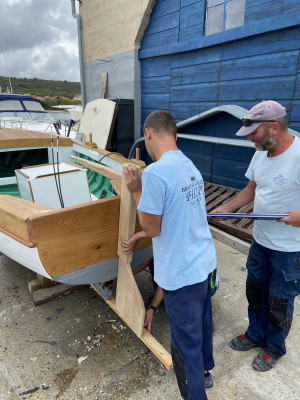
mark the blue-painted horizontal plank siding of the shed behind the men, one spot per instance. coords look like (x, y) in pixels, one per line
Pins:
(241, 72)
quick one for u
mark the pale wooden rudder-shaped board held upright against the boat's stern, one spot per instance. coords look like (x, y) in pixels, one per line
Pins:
(129, 302)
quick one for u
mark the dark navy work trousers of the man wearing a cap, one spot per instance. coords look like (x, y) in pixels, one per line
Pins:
(273, 282)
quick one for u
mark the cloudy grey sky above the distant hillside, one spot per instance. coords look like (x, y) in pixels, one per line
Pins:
(38, 39)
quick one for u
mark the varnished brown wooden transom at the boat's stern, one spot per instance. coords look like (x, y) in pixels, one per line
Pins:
(78, 236)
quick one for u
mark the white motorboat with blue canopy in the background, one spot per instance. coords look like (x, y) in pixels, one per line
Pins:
(24, 112)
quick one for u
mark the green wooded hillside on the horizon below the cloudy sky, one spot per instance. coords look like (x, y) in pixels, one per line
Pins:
(41, 87)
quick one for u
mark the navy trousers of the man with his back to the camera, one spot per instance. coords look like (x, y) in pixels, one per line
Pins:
(190, 316)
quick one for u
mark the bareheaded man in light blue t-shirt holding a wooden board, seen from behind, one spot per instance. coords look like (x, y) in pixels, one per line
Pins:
(171, 210)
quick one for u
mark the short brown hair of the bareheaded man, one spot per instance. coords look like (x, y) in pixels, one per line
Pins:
(161, 122)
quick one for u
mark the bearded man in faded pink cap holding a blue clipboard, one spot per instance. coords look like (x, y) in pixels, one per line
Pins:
(273, 262)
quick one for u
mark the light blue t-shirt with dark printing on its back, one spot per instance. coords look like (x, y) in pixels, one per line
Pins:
(184, 253)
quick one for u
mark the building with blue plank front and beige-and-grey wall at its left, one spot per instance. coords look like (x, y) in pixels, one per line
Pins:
(189, 56)
